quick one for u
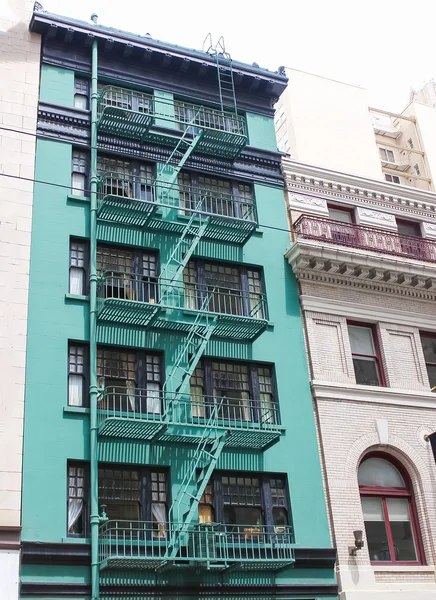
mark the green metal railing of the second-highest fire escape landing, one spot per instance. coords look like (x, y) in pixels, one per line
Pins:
(127, 190)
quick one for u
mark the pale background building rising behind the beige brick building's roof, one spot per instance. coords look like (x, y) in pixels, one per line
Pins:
(329, 124)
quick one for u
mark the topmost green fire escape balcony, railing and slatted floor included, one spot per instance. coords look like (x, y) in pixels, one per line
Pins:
(142, 117)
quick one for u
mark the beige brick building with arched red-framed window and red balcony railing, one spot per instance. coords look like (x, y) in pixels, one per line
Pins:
(364, 254)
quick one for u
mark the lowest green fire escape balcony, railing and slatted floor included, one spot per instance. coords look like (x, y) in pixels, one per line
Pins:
(207, 546)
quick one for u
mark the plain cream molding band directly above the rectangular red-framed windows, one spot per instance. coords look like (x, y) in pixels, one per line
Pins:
(368, 312)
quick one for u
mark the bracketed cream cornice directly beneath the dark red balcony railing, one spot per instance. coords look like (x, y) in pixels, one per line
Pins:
(337, 265)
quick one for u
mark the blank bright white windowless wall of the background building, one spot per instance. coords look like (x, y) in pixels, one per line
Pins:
(328, 125)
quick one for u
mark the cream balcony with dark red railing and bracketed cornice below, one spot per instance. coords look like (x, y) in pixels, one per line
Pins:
(362, 256)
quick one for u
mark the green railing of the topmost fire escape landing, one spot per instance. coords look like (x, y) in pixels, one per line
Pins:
(179, 112)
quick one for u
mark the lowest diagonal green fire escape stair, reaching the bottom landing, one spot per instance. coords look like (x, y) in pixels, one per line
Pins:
(184, 509)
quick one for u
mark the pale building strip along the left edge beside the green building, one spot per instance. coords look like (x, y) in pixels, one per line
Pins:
(19, 78)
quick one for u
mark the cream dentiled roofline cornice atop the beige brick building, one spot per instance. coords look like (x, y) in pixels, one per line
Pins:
(314, 182)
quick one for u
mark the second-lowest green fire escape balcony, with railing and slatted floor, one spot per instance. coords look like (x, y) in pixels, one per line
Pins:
(154, 414)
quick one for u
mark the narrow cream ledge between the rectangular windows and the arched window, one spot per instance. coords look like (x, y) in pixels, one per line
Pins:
(324, 390)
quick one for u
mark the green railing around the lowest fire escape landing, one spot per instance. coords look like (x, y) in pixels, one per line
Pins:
(200, 541)
